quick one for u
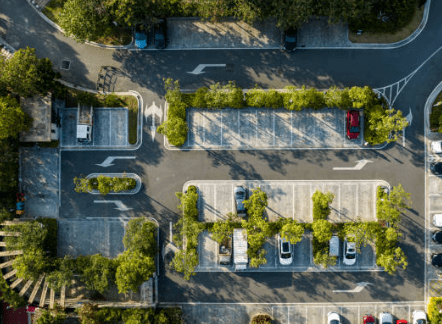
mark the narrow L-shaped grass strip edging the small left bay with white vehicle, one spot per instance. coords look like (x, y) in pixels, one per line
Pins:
(111, 100)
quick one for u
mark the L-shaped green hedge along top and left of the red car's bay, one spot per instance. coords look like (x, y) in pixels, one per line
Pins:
(230, 96)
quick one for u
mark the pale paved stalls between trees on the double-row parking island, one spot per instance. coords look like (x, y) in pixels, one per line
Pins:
(353, 200)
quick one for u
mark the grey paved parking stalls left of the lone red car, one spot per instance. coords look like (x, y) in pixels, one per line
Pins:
(257, 128)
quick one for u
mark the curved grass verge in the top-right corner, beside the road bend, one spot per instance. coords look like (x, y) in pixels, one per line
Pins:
(386, 38)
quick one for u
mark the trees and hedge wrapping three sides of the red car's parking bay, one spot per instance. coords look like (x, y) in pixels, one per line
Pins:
(381, 123)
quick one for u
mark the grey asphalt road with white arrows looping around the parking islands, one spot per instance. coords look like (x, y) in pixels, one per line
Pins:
(164, 172)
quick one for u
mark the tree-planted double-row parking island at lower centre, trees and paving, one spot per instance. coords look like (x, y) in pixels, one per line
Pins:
(376, 237)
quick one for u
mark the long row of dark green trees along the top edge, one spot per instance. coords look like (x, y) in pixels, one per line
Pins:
(90, 20)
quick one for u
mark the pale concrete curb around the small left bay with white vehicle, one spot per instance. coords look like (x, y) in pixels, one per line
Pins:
(133, 147)
